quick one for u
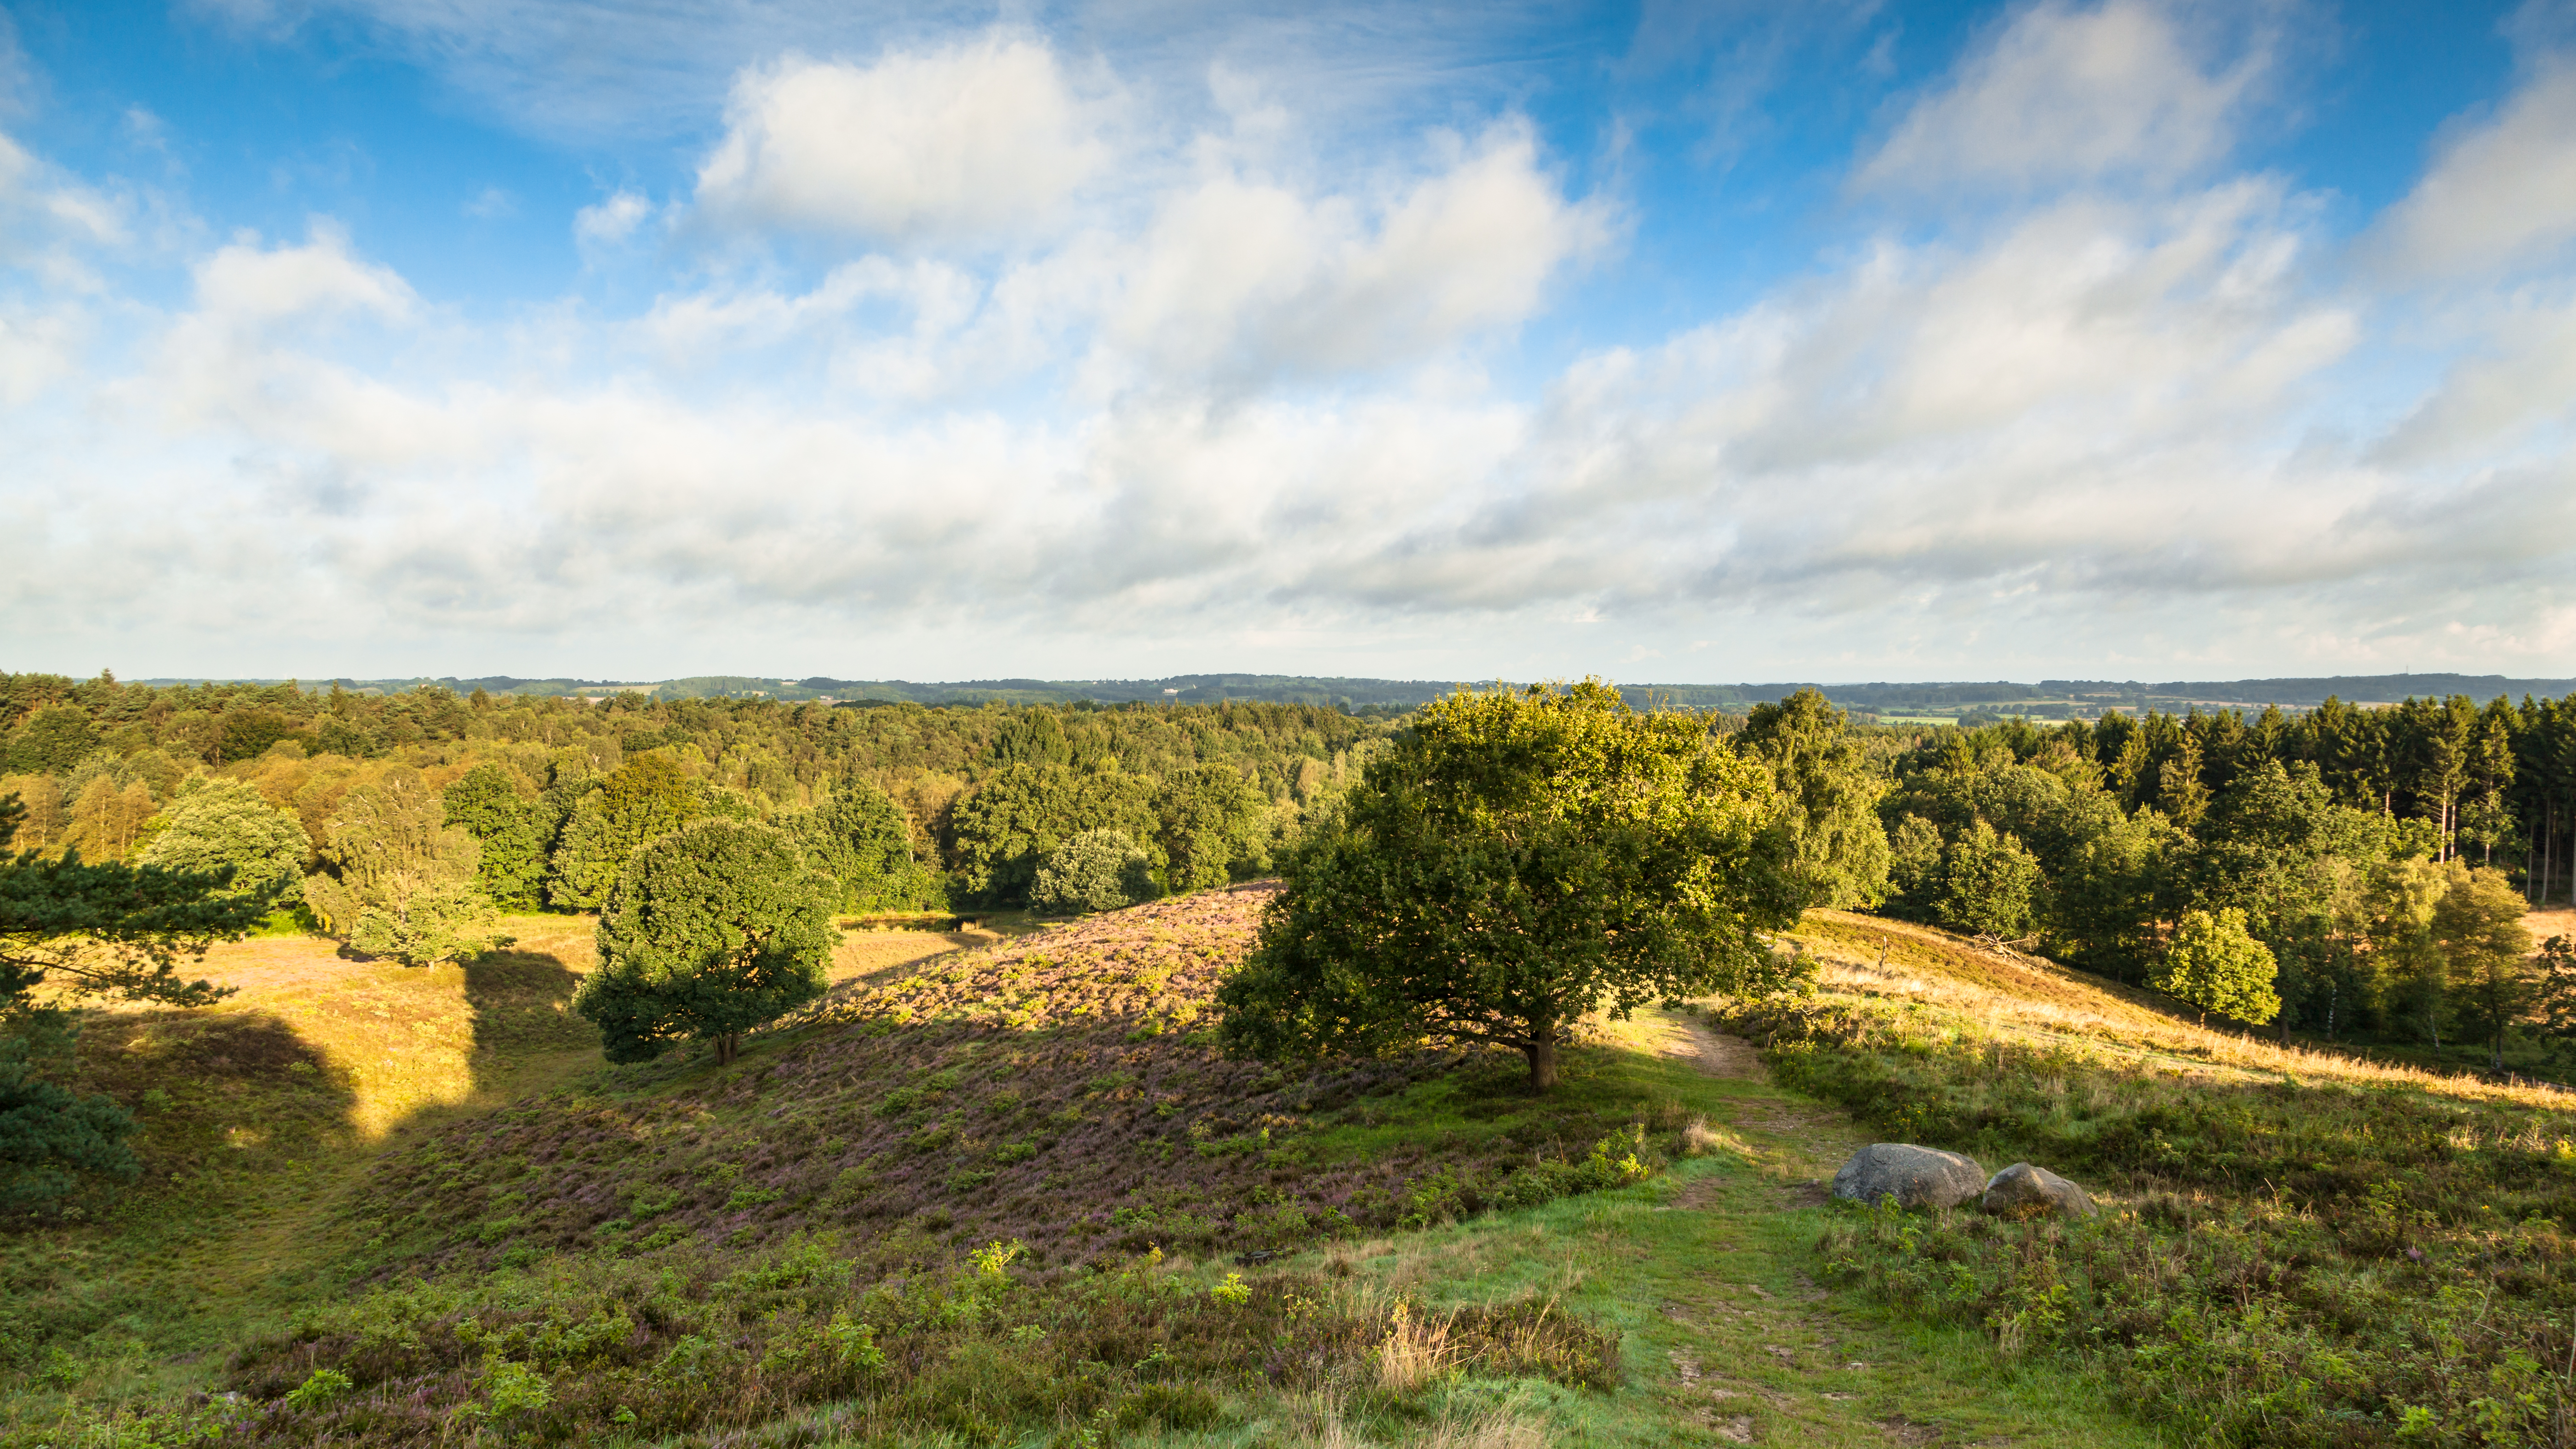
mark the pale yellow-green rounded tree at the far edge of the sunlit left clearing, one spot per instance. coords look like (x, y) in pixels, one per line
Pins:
(398, 878)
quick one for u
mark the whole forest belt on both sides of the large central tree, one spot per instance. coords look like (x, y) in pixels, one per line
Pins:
(2330, 837)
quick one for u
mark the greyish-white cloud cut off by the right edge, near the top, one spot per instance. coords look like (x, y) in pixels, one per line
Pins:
(2497, 195)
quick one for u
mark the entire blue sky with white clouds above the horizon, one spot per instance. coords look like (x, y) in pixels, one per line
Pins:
(1689, 344)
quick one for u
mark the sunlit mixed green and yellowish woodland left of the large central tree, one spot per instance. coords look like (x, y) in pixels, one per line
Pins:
(903, 806)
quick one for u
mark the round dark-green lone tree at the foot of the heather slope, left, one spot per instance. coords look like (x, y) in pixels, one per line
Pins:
(715, 929)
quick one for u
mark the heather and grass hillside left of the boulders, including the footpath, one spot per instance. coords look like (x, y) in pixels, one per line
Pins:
(1006, 1195)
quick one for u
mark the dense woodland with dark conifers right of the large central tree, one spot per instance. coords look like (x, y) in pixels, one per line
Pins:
(2379, 857)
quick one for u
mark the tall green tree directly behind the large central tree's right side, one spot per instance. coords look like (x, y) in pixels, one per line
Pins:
(1841, 844)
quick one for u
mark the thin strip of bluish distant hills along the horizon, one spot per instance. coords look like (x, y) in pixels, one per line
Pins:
(1889, 703)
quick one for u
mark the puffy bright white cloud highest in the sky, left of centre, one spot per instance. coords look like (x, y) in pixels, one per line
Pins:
(957, 143)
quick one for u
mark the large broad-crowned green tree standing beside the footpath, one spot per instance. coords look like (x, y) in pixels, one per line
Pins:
(1513, 865)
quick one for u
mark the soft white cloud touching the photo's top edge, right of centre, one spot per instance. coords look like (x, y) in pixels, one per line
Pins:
(2065, 97)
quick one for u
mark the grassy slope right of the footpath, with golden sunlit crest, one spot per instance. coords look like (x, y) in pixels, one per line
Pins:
(2304, 1249)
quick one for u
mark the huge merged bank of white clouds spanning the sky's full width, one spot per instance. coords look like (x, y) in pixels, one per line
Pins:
(1258, 401)
